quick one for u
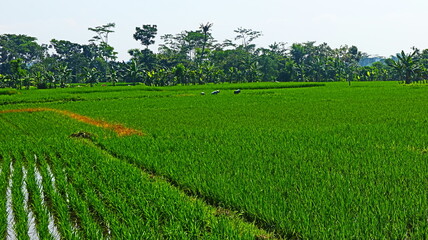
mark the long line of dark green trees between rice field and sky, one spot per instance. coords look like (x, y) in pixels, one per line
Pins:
(193, 57)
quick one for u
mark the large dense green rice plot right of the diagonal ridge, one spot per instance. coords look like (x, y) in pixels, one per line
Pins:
(298, 157)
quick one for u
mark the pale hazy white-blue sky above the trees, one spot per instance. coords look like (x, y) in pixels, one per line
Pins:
(377, 27)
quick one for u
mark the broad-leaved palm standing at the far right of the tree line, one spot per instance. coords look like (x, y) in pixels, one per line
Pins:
(407, 66)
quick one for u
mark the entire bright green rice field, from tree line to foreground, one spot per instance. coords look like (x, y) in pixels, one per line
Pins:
(276, 161)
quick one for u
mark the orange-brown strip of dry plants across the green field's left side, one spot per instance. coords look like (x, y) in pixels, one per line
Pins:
(118, 128)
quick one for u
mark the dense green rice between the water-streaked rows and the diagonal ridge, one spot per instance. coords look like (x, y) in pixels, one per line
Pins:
(134, 206)
